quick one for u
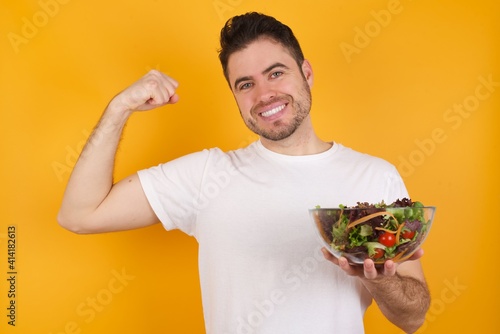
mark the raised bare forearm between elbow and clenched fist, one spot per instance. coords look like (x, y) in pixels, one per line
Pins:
(92, 176)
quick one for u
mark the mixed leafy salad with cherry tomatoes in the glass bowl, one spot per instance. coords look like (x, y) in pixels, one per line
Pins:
(378, 231)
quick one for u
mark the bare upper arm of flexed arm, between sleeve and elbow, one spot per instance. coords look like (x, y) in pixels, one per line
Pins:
(126, 207)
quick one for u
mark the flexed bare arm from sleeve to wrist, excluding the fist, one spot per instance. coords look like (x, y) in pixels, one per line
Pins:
(92, 203)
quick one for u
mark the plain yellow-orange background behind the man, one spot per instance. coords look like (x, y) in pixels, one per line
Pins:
(389, 95)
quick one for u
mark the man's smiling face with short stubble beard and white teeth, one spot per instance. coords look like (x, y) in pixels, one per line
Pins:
(271, 90)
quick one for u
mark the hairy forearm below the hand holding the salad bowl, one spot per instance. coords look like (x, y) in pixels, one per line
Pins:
(403, 300)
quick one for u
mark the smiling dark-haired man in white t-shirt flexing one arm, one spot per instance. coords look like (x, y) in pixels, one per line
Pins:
(261, 269)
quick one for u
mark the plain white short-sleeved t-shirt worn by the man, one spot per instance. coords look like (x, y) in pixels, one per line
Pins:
(260, 264)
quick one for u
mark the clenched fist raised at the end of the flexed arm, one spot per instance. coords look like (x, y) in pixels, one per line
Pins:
(153, 90)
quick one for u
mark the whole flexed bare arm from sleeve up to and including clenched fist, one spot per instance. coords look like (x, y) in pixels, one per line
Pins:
(92, 203)
